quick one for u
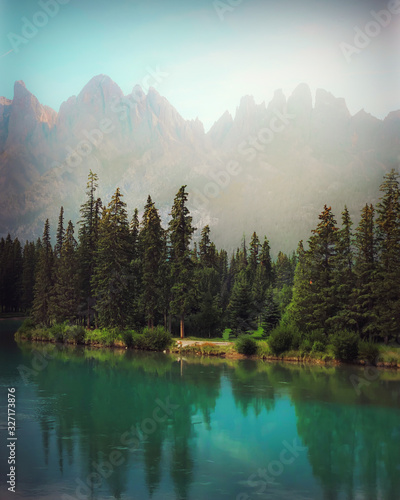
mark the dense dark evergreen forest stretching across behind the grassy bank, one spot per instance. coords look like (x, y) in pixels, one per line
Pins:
(118, 273)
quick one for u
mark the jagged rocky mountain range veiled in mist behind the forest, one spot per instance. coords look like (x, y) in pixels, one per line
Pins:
(270, 168)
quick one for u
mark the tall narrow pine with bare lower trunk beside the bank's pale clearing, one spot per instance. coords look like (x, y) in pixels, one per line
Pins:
(180, 231)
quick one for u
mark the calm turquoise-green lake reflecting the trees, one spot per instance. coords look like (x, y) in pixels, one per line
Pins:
(116, 424)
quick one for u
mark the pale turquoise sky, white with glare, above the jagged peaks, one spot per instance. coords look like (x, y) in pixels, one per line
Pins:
(206, 54)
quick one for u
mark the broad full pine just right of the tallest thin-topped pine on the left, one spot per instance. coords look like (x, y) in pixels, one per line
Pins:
(111, 274)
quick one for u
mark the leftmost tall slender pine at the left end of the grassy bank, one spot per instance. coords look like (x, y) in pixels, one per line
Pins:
(44, 280)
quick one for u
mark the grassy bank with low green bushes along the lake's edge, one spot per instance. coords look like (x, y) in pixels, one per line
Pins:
(281, 345)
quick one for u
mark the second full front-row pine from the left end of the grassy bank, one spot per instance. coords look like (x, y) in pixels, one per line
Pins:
(64, 299)
